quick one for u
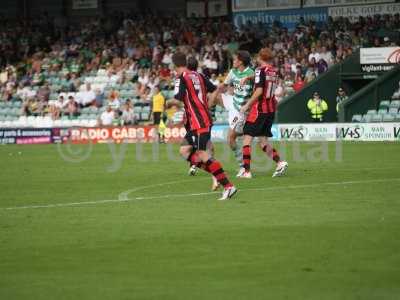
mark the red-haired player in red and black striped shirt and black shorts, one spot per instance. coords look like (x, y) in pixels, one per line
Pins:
(261, 109)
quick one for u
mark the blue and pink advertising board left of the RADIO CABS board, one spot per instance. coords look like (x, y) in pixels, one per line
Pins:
(26, 136)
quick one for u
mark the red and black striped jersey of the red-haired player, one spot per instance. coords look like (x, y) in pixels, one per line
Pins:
(266, 78)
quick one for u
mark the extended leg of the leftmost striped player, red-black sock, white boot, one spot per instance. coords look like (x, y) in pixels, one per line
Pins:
(213, 166)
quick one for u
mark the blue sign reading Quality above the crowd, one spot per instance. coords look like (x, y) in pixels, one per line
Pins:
(288, 18)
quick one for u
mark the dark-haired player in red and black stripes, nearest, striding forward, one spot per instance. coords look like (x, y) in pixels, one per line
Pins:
(192, 89)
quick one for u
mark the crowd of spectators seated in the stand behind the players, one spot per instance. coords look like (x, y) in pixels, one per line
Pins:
(46, 64)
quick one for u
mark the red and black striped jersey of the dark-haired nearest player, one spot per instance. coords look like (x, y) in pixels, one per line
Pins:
(192, 88)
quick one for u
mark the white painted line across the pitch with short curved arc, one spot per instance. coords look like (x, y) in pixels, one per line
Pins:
(301, 186)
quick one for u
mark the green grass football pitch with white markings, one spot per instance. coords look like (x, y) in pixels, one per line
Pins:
(126, 222)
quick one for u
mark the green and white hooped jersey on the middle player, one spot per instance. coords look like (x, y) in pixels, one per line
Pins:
(241, 91)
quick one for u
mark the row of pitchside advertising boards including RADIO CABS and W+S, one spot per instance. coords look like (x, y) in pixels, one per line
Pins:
(148, 134)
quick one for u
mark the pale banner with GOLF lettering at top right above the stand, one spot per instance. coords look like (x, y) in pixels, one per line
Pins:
(353, 12)
